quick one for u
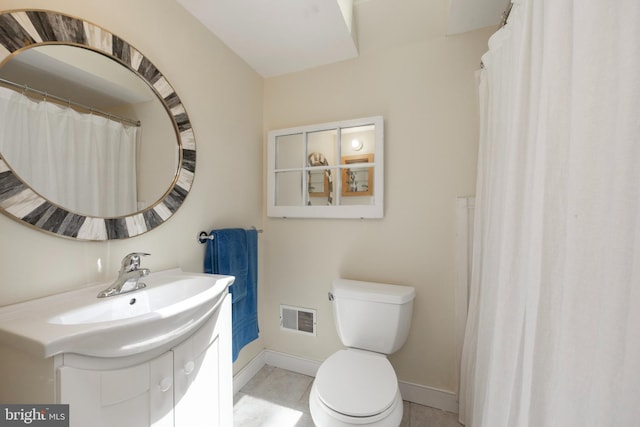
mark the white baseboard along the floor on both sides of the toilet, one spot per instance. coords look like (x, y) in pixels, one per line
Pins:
(416, 393)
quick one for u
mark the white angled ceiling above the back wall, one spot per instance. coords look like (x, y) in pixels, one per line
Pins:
(284, 36)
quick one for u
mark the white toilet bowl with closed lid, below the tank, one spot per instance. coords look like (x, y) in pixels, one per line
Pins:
(356, 387)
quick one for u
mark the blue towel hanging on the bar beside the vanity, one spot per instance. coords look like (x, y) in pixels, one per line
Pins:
(234, 252)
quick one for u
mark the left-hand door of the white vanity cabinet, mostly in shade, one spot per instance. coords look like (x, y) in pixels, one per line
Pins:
(141, 395)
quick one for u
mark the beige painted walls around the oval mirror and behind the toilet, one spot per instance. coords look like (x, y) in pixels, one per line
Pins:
(426, 93)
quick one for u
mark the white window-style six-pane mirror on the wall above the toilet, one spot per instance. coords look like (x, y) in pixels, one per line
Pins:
(327, 166)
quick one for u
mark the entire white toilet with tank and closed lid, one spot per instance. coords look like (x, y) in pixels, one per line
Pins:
(357, 385)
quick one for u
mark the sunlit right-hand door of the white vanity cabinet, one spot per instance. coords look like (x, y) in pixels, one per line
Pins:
(203, 374)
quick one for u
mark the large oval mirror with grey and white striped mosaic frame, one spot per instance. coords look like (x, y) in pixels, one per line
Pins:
(50, 61)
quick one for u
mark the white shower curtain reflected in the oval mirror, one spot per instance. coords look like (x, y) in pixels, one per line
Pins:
(82, 162)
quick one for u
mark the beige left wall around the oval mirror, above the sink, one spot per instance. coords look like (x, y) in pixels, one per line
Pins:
(223, 98)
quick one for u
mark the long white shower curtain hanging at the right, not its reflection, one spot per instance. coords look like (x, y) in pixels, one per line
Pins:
(553, 332)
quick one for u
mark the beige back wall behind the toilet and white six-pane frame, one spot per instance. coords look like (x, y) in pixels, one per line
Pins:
(426, 92)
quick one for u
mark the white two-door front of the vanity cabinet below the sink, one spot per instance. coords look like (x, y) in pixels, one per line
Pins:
(190, 385)
